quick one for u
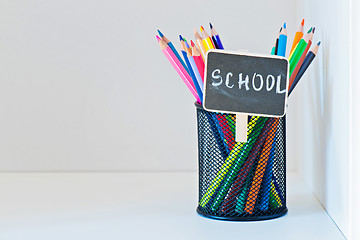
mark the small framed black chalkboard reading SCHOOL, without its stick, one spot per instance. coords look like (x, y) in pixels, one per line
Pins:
(246, 83)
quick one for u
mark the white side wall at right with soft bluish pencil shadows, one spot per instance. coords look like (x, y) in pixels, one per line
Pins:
(324, 116)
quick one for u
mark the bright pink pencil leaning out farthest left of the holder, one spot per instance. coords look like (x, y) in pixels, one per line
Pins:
(178, 67)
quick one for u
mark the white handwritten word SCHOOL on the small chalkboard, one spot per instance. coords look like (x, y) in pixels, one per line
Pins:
(257, 82)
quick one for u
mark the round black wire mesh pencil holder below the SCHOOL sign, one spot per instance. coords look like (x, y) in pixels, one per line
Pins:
(241, 181)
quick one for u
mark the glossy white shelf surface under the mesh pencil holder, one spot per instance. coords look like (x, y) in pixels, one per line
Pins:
(123, 206)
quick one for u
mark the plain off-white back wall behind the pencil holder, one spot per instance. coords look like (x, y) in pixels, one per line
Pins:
(84, 85)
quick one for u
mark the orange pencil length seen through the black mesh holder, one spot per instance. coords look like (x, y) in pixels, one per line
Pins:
(260, 170)
